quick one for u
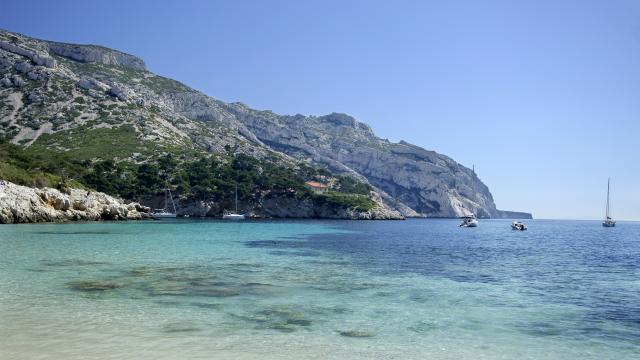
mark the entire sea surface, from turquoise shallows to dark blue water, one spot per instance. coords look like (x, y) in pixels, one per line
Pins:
(415, 289)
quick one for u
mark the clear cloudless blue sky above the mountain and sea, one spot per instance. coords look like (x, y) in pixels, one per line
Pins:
(542, 96)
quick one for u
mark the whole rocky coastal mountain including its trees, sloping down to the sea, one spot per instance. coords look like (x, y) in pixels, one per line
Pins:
(84, 119)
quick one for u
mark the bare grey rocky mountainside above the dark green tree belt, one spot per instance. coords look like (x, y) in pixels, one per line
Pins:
(56, 96)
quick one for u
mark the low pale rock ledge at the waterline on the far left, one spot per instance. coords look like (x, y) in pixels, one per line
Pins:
(21, 204)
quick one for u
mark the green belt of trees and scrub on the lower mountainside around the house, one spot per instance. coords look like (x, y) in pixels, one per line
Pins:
(101, 159)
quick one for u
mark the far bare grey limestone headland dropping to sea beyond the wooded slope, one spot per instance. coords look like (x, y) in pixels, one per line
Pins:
(428, 183)
